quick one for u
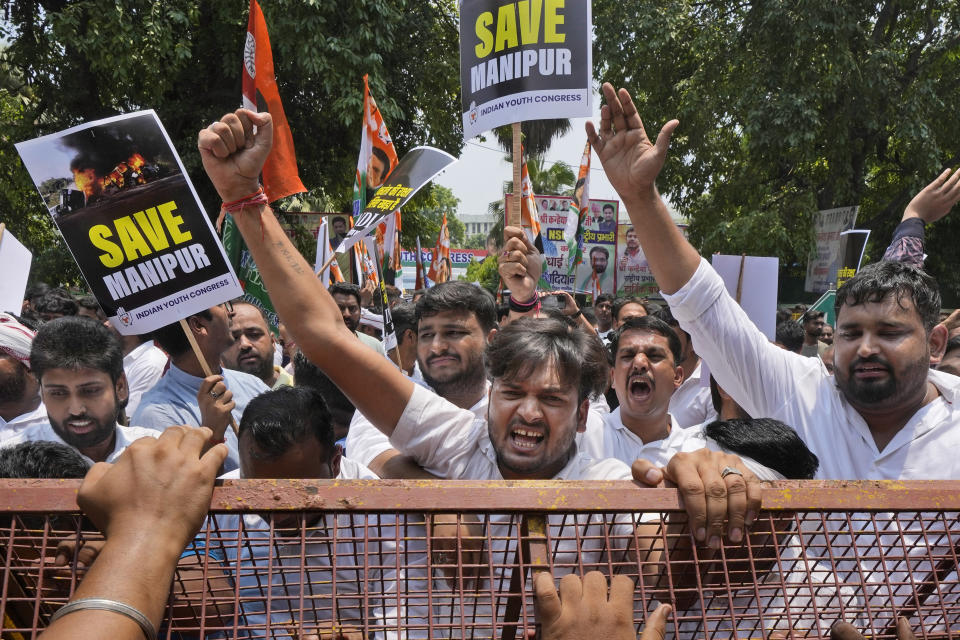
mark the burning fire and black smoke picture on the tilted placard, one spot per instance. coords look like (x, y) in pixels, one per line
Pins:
(109, 160)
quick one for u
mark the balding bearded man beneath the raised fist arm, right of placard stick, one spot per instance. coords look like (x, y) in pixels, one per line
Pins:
(252, 350)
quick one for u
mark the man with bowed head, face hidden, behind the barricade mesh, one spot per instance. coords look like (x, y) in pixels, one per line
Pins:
(287, 433)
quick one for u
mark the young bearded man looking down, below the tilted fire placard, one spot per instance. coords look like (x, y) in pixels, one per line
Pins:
(79, 364)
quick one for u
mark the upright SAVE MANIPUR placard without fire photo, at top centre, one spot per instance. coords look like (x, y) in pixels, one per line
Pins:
(524, 60)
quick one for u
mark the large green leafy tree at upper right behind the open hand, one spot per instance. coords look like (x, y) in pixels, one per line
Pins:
(786, 108)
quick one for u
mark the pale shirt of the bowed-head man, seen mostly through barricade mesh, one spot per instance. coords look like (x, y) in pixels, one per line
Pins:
(277, 562)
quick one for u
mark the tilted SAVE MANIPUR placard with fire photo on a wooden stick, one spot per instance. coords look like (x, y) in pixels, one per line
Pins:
(120, 197)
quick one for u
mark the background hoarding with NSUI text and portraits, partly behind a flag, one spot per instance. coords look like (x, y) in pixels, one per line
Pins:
(596, 274)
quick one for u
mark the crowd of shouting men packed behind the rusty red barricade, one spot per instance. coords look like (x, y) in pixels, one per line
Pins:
(481, 392)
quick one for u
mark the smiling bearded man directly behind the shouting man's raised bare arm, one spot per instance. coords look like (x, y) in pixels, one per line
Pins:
(455, 320)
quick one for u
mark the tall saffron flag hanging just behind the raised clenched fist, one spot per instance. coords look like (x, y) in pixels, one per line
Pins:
(280, 176)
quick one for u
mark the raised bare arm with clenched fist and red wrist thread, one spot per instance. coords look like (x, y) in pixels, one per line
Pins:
(233, 156)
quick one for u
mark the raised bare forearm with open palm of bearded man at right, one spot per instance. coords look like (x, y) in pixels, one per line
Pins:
(632, 164)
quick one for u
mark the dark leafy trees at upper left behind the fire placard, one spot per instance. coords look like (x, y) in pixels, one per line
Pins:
(87, 59)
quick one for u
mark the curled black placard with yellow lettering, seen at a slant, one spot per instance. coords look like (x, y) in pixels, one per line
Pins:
(414, 170)
